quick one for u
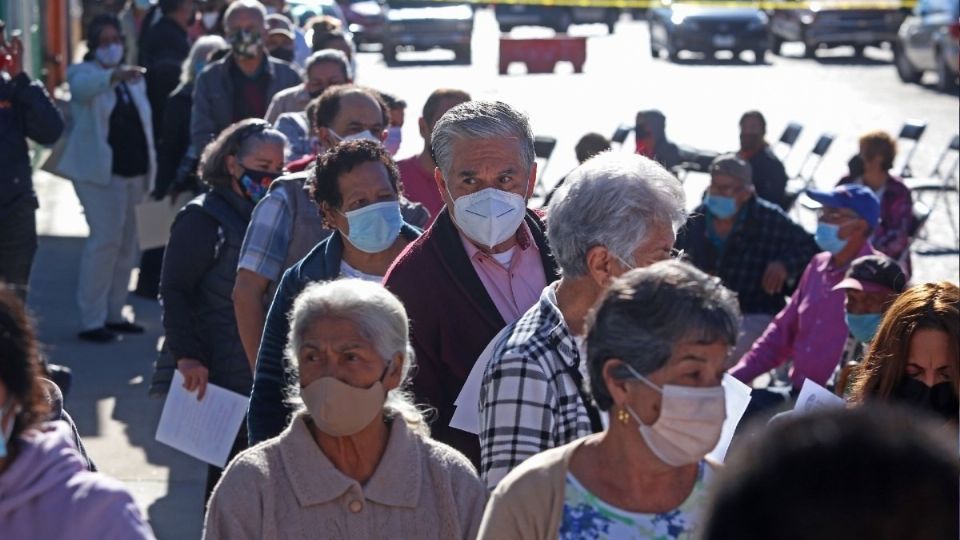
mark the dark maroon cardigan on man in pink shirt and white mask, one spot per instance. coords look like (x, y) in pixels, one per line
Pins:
(452, 318)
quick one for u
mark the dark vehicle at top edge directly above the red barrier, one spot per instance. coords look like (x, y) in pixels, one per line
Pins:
(559, 18)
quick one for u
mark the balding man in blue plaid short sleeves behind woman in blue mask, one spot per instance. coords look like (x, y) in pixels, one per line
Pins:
(286, 225)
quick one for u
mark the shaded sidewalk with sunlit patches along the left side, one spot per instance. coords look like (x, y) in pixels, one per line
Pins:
(108, 401)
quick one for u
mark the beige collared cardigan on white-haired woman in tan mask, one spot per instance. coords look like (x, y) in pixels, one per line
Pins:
(287, 488)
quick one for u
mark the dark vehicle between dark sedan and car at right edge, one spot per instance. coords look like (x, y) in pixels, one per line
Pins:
(831, 23)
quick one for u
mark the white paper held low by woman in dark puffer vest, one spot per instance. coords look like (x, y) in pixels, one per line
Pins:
(203, 429)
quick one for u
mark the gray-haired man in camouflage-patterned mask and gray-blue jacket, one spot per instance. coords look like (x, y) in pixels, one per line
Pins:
(241, 84)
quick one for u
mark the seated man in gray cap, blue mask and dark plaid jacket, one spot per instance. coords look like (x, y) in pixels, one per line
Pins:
(748, 242)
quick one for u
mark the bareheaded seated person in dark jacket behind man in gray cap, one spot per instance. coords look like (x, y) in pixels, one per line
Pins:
(769, 176)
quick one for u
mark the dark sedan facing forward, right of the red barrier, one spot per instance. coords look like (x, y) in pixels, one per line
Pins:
(681, 26)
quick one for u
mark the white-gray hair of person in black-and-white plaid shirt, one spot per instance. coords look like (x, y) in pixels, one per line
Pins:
(611, 200)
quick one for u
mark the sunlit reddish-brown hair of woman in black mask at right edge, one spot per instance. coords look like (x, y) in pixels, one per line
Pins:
(930, 306)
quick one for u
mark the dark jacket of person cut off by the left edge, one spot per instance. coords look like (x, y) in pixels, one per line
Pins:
(26, 111)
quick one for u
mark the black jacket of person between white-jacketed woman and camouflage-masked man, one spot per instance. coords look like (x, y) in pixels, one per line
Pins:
(165, 47)
